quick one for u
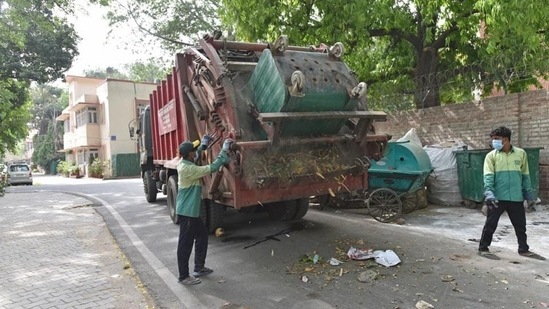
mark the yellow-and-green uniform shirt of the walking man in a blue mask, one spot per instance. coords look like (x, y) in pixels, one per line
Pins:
(507, 175)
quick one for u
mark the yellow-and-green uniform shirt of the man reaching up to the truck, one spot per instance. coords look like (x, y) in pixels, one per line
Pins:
(189, 194)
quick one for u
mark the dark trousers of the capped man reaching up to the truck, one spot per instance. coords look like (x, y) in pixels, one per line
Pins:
(191, 230)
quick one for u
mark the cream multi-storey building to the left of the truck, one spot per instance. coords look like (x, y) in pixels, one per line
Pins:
(98, 118)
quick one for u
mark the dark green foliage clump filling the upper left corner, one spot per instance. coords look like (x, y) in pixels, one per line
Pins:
(35, 45)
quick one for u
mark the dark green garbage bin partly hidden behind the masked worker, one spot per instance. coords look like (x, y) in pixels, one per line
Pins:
(470, 164)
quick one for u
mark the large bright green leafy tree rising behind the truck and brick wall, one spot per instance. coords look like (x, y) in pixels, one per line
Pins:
(403, 45)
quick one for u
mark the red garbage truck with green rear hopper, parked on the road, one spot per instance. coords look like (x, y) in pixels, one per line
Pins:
(298, 117)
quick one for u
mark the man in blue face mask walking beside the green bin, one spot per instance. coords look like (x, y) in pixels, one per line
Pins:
(506, 186)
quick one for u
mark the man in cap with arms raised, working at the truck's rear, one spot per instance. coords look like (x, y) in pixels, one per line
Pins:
(191, 228)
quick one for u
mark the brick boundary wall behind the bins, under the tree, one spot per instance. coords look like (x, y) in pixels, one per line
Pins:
(526, 114)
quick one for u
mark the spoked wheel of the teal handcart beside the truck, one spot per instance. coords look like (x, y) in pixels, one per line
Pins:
(384, 205)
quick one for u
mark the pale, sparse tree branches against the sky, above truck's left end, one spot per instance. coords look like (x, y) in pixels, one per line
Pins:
(173, 23)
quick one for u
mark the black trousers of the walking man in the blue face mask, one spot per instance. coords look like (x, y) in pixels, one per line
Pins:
(517, 215)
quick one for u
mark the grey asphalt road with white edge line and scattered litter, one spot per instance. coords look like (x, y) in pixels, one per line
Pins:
(437, 247)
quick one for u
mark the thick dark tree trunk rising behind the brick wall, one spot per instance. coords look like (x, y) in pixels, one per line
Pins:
(425, 79)
